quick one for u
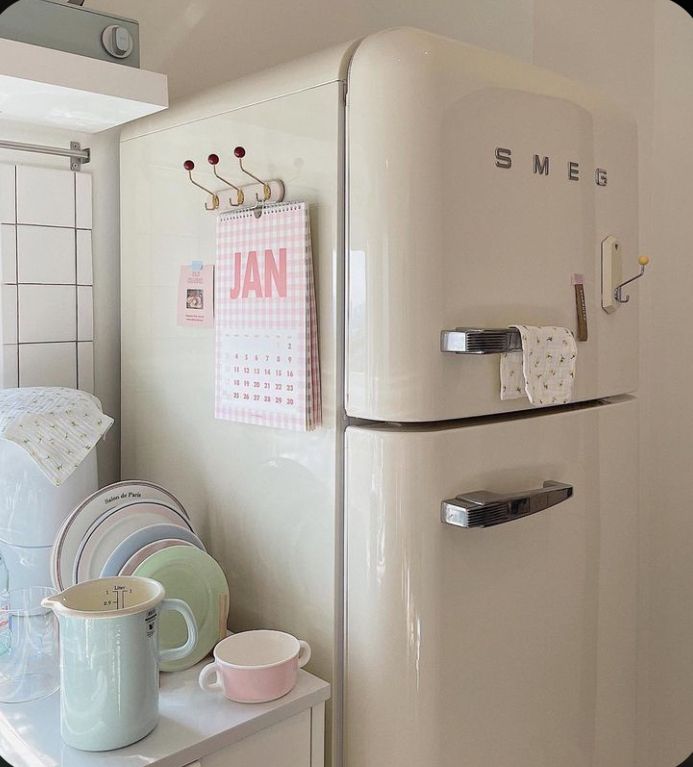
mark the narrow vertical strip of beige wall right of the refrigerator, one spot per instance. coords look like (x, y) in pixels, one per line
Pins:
(667, 517)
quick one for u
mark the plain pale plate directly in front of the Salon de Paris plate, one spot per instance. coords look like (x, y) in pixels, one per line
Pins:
(113, 527)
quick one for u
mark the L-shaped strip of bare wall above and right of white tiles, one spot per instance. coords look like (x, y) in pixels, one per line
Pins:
(106, 255)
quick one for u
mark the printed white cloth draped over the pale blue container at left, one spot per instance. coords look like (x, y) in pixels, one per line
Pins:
(57, 427)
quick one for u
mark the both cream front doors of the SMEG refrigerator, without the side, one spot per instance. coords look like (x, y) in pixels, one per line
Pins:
(490, 545)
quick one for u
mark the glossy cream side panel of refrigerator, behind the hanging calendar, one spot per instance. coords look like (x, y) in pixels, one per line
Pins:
(264, 500)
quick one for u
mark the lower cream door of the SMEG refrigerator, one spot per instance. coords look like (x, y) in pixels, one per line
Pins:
(511, 645)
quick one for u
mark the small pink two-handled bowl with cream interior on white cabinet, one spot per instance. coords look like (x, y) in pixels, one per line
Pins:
(255, 666)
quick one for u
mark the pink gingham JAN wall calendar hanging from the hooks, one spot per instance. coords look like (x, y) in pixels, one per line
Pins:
(267, 369)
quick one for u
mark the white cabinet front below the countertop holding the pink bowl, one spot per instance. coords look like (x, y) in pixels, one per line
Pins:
(287, 744)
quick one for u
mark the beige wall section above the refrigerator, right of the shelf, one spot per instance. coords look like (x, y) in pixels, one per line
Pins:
(200, 43)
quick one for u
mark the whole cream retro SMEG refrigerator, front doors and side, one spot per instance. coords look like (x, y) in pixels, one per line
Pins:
(449, 188)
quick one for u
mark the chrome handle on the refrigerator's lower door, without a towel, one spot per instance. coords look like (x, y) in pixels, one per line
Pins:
(484, 509)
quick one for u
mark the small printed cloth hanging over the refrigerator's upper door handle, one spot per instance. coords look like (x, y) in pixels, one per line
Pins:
(544, 370)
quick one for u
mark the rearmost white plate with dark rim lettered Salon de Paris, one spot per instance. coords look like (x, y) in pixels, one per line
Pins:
(73, 529)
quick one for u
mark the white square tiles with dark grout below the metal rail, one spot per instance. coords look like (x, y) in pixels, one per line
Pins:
(46, 276)
